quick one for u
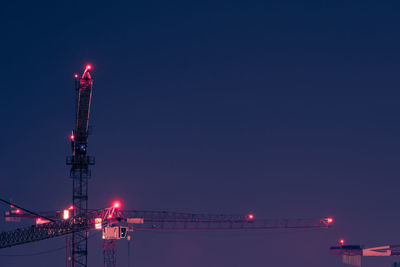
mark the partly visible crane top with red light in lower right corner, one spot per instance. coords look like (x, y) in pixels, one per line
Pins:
(352, 254)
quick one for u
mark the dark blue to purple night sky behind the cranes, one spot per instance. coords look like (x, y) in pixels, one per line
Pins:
(284, 109)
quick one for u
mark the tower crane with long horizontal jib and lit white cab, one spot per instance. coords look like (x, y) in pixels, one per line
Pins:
(115, 223)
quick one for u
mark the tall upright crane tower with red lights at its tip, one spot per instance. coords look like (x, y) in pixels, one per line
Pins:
(80, 162)
